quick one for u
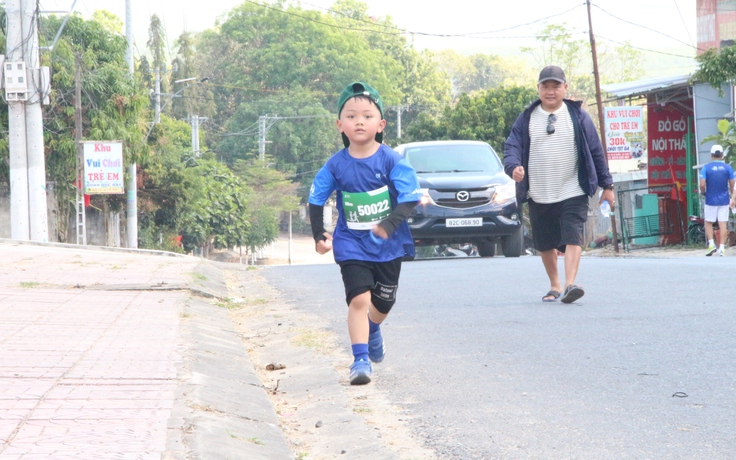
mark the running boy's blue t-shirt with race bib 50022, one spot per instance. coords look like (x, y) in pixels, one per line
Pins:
(368, 180)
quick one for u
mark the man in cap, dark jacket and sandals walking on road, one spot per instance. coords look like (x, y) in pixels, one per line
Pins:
(556, 158)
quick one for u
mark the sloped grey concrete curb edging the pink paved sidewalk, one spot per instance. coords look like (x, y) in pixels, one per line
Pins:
(221, 409)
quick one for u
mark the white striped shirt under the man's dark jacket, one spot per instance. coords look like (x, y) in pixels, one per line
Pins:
(553, 158)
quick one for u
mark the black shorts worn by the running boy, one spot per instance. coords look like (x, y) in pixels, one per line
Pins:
(380, 278)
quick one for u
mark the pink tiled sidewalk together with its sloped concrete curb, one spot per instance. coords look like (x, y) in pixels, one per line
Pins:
(124, 354)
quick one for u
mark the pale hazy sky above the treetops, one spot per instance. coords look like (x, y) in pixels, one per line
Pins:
(490, 26)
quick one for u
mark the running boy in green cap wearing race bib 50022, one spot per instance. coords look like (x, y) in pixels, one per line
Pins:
(376, 191)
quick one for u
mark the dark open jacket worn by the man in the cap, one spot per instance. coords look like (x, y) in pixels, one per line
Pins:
(592, 167)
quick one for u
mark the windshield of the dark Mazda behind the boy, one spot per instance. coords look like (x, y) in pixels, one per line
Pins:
(453, 158)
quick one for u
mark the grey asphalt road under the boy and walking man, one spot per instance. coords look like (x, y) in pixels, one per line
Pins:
(642, 367)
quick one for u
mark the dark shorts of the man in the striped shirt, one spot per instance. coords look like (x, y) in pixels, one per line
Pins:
(556, 225)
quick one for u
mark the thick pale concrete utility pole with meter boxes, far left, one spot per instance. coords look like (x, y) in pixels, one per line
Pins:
(24, 94)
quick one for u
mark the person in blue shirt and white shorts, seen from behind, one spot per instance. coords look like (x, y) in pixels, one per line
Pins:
(716, 180)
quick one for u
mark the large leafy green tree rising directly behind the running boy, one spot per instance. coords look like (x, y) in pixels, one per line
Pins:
(284, 61)
